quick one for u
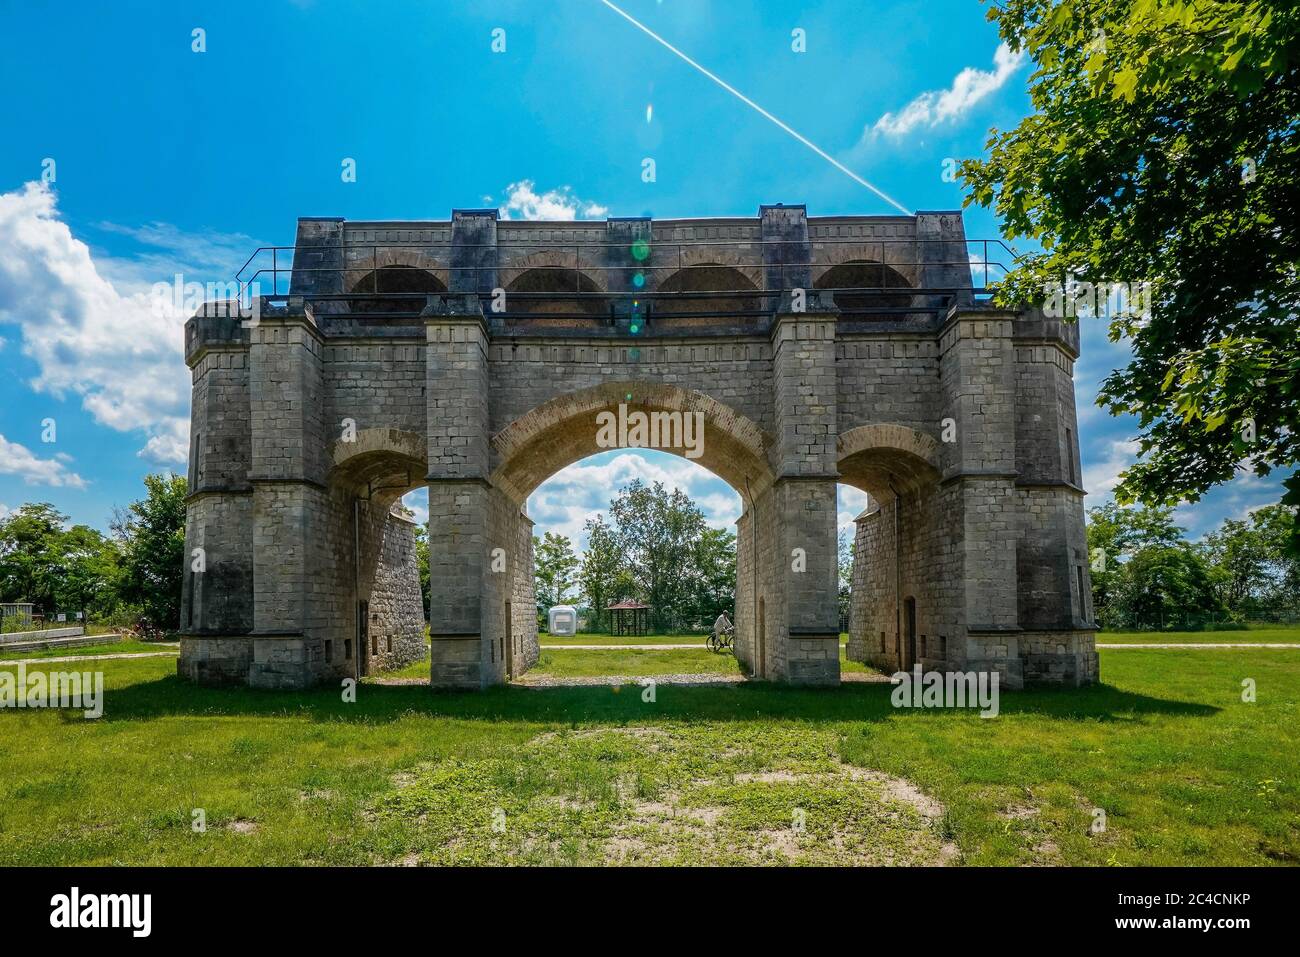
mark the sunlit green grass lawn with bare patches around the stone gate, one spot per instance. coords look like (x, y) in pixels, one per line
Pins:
(1186, 773)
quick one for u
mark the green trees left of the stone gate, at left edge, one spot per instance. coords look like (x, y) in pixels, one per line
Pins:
(131, 574)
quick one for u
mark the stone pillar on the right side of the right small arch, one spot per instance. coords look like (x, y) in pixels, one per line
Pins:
(978, 492)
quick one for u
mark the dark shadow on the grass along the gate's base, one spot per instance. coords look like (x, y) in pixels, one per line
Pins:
(171, 696)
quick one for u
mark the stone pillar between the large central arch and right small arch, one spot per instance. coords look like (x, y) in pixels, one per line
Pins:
(804, 557)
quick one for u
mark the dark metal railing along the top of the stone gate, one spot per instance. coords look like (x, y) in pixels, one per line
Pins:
(649, 269)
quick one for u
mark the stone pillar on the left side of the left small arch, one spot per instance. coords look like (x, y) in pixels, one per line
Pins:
(288, 478)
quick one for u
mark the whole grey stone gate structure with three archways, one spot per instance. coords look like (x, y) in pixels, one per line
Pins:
(960, 423)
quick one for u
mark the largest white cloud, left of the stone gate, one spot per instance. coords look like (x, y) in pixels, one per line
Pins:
(116, 350)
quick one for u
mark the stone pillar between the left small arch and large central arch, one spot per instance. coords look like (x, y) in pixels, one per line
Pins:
(460, 493)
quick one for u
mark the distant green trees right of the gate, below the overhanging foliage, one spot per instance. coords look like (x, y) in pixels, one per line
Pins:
(1146, 575)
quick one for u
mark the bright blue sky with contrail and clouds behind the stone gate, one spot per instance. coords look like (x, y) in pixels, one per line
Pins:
(171, 161)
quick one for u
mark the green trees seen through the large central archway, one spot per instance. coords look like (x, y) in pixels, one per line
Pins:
(657, 549)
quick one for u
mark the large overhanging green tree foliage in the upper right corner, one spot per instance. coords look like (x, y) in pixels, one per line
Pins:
(1163, 150)
